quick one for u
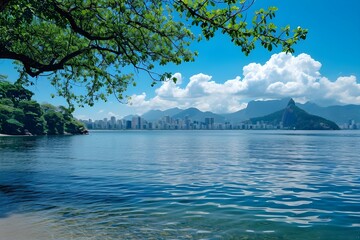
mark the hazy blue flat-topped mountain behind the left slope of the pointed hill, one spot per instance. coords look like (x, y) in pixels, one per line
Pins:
(256, 109)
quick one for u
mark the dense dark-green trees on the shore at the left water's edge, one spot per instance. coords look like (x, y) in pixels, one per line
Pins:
(21, 115)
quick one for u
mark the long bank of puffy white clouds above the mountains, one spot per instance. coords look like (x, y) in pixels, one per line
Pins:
(283, 75)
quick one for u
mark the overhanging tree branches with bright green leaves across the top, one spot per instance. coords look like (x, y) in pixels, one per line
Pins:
(78, 42)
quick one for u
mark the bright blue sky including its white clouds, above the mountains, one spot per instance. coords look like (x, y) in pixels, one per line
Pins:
(324, 69)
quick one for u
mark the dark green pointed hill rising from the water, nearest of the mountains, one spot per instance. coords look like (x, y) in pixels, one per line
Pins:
(293, 117)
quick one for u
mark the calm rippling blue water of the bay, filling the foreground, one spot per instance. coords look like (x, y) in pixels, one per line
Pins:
(181, 185)
